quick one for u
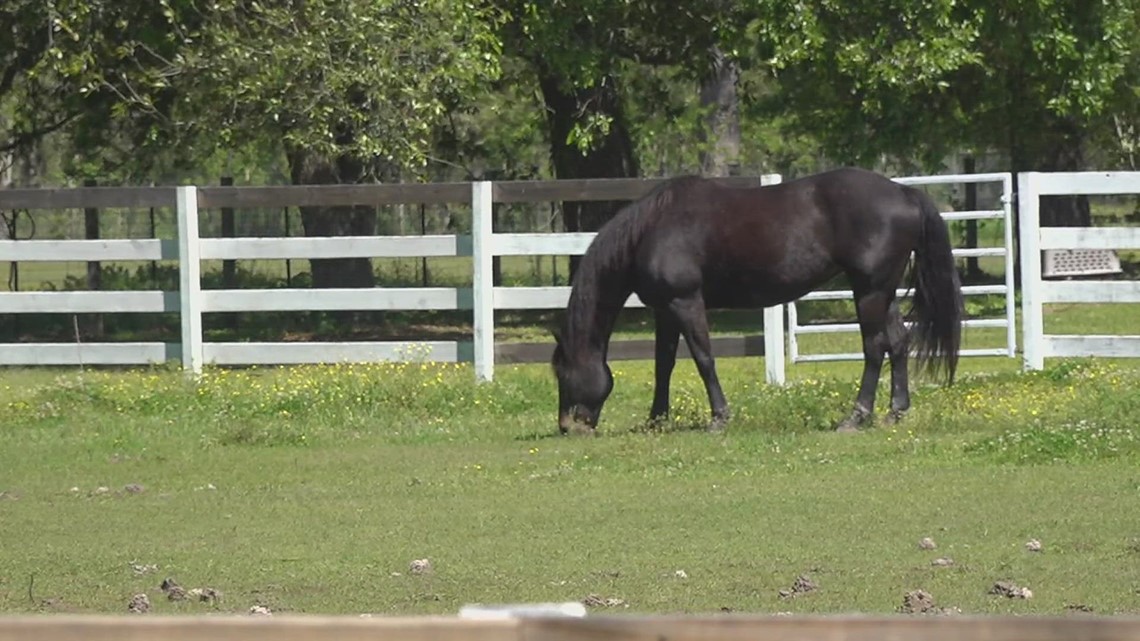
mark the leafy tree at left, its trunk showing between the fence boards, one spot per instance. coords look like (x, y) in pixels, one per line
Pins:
(347, 92)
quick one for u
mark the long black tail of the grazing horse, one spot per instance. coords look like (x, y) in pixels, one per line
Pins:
(937, 307)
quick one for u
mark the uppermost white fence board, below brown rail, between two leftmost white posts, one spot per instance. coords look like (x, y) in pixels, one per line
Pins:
(335, 247)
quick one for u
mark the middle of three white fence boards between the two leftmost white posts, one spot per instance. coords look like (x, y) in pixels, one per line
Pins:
(363, 299)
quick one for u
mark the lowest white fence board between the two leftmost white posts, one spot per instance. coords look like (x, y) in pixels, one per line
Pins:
(330, 353)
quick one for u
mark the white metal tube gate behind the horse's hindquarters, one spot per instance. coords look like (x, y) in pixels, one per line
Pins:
(795, 330)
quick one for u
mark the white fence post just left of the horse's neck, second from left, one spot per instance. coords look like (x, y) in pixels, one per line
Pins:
(483, 245)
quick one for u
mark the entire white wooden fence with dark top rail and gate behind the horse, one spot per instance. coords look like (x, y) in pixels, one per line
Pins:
(483, 299)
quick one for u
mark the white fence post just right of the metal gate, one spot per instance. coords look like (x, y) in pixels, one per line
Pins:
(1029, 204)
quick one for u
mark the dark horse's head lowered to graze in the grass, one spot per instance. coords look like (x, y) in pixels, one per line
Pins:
(584, 385)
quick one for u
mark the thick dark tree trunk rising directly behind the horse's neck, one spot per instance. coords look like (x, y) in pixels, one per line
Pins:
(612, 157)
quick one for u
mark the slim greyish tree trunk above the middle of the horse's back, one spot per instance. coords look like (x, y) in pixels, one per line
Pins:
(721, 156)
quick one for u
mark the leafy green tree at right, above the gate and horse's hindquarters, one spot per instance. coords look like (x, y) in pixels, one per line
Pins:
(923, 80)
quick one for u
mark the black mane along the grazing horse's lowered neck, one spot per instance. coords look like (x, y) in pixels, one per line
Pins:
(609, 255)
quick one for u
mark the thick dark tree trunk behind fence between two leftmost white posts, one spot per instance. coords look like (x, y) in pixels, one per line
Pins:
(310, 169)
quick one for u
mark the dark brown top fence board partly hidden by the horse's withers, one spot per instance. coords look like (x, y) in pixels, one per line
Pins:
(595, 189)
